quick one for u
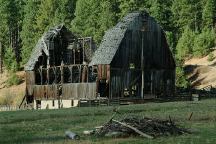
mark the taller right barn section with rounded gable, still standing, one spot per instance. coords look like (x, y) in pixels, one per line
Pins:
(134, 60)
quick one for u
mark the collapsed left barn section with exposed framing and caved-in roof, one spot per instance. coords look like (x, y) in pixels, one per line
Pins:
(57, 73)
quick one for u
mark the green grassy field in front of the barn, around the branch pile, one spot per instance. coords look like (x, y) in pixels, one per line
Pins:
(49, 126)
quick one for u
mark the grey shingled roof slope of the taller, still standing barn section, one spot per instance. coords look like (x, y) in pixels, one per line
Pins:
(111, 41)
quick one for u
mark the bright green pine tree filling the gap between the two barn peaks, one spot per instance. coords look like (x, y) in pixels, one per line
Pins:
(93, 17)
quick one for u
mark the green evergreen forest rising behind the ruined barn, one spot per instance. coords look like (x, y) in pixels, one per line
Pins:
(190, 25)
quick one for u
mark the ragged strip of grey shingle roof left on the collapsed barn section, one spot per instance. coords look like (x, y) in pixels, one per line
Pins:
(42, 46)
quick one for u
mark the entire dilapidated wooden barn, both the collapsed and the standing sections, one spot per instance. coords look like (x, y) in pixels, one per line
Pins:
(133, 62)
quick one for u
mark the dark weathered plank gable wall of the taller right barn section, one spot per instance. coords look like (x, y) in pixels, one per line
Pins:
(158, 63)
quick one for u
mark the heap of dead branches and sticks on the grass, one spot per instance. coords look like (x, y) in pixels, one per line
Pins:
(145, 127)
